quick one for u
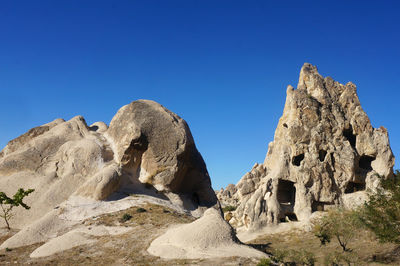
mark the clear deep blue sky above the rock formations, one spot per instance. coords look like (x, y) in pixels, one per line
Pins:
(221, 65)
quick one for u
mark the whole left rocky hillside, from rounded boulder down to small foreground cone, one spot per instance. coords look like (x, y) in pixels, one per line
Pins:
(85, 174)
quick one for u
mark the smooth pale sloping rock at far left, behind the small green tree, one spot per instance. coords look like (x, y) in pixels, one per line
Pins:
(54, 163)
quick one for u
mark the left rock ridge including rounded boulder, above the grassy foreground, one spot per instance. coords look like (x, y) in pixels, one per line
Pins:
(146, 148)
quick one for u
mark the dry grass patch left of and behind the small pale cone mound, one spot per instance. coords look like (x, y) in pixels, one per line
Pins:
(126, 249)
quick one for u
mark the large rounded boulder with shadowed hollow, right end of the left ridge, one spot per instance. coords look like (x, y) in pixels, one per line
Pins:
(155, 146)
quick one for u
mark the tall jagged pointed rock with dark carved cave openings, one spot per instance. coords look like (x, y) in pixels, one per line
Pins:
(325, 153)
